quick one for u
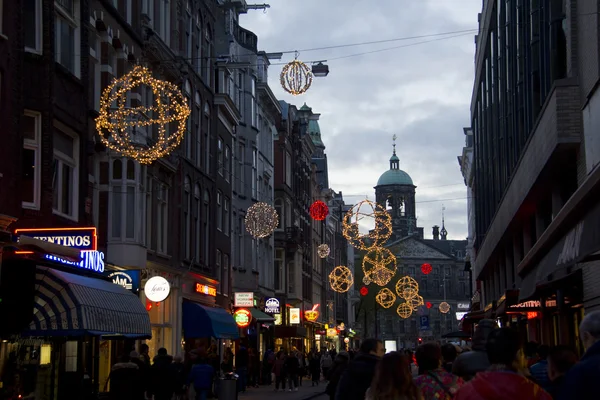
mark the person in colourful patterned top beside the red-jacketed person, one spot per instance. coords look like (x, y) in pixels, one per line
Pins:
(434, 381)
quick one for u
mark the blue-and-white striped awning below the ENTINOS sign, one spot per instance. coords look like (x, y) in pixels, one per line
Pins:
(73, 305)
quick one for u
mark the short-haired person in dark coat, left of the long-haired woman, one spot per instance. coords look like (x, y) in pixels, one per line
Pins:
(358, 376)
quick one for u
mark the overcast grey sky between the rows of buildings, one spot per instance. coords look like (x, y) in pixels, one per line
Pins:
(421, 93)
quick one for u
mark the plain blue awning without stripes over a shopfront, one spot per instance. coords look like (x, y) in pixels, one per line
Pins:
(202, 322)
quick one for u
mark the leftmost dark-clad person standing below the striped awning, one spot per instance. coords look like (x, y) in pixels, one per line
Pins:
(125, 381)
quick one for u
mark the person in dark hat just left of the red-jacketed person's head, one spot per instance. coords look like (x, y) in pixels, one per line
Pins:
(468, 364)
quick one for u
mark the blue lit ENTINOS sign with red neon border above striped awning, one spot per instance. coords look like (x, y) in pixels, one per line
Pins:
(84, 239)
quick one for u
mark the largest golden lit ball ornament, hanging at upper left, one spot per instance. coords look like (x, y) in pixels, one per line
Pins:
(117, 122)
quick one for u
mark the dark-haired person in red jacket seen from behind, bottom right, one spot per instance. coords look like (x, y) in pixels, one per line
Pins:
(502, 381)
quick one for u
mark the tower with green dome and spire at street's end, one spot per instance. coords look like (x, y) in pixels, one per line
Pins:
(395, 192)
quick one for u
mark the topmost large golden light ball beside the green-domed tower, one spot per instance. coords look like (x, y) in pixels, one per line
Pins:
(377, 236)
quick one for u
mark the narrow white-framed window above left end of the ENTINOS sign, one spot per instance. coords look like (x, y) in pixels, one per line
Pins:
(31, 160)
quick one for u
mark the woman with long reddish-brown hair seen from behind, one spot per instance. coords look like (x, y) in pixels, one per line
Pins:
(393, 380)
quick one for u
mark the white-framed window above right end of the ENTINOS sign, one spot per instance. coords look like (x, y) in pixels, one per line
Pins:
(65, 180)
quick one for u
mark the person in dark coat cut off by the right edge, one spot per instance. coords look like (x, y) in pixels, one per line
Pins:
(581, 382)
